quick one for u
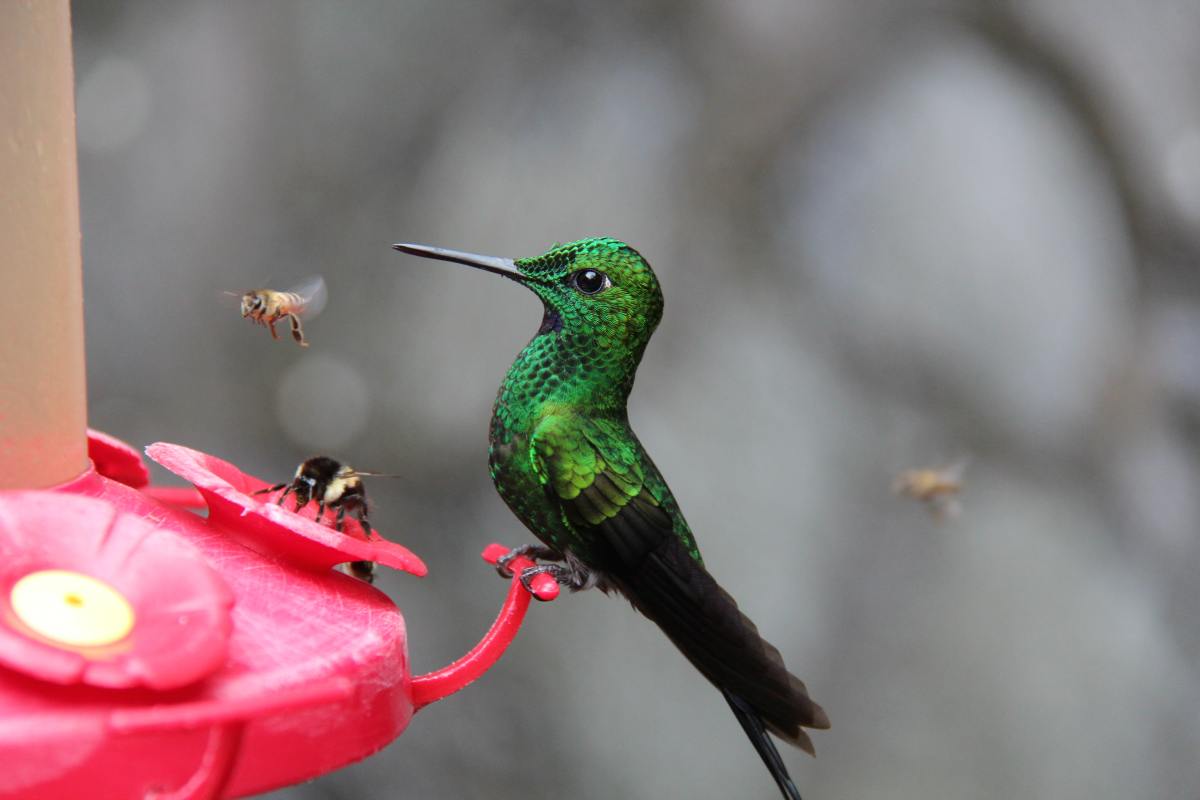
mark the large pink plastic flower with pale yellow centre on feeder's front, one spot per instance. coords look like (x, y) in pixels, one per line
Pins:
(97, 597)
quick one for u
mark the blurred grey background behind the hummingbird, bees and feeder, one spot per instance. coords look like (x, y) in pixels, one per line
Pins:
(890, 234)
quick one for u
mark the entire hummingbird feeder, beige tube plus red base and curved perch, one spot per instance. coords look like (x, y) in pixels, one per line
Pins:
(148, 652)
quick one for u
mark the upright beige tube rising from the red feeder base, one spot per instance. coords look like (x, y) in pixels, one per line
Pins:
(43, 383)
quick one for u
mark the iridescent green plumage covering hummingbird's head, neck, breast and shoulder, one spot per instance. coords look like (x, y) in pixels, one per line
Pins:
(562, 453)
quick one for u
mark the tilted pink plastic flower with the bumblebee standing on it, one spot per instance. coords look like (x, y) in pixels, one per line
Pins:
(260, 524)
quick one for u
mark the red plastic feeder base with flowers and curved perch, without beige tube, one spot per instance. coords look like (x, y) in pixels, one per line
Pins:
(149, 653)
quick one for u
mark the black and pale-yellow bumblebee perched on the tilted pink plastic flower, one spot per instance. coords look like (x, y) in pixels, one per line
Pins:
(337, 486)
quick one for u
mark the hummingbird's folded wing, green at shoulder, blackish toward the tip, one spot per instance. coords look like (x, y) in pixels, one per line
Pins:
(616, 503)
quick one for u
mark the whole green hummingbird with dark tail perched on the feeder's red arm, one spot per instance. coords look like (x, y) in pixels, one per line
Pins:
(565, 459)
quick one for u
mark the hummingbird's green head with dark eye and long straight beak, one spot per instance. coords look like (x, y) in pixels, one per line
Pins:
(595, 287)
